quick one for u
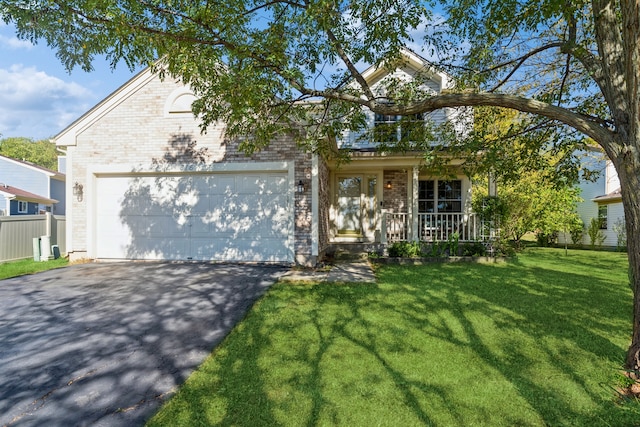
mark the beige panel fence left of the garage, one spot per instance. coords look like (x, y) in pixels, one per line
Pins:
(17, 234)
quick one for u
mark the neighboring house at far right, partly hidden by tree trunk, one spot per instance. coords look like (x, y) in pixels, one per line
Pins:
(601, 199)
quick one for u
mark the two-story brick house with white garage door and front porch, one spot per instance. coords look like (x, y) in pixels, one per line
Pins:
(148, 184)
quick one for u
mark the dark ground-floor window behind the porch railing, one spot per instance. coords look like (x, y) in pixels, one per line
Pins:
(440, 196)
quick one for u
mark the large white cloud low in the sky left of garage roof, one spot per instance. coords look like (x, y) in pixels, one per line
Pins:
(37, 105)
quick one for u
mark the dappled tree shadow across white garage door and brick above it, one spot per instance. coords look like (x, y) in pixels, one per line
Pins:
(194, 215)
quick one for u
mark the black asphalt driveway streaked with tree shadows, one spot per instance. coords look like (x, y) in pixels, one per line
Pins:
(107, 343)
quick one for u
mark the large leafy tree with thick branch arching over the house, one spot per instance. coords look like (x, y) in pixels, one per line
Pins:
(575, 65)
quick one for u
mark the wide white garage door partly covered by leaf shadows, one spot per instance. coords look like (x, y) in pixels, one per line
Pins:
(221, 217)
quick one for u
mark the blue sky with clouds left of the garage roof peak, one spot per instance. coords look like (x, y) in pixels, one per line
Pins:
(38, 97)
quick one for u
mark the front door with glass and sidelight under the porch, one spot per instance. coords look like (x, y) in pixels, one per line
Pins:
(356, 205)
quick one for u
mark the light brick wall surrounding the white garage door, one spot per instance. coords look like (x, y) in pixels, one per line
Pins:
(140, 132)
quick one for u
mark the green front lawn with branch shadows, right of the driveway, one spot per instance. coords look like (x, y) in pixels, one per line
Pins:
(534, 342)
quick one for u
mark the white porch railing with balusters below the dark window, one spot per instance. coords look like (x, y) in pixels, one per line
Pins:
(431, 227)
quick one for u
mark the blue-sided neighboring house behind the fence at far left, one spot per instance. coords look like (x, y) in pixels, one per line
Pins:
(34, 189)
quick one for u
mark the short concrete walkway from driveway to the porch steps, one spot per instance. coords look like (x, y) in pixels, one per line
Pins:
(359, 271)
